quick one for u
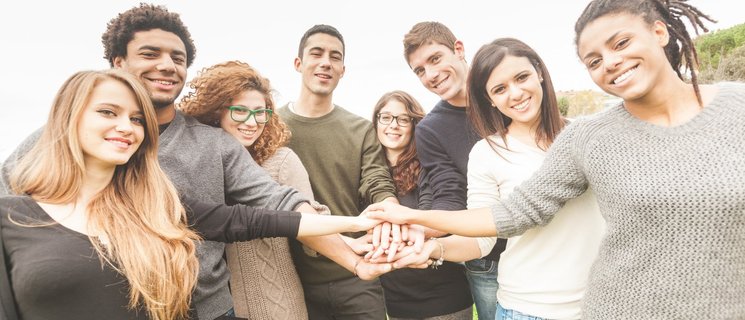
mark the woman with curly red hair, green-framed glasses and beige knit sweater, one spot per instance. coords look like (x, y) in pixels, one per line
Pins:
(234, 96)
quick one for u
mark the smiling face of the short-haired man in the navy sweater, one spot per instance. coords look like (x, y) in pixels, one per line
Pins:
(441, 70)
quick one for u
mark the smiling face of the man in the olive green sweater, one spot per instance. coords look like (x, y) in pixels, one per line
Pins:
(322, 64)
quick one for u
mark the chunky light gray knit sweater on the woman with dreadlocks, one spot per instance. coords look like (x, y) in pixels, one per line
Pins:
(674, 202)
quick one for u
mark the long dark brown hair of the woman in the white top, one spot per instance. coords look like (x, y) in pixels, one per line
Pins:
(488, 120)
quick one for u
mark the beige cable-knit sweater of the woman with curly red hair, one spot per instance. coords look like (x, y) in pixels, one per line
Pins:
(264, 282)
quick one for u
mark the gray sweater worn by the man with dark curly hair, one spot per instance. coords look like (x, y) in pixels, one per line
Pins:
(210, 165)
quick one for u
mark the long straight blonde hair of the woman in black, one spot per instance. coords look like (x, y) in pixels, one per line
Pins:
(139, 212)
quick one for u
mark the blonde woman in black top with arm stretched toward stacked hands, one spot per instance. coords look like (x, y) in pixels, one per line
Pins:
(100, 231)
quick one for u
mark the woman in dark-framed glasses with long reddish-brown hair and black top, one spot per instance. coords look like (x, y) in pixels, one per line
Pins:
(440, 293)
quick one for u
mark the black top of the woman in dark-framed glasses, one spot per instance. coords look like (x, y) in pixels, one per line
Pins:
(423, 293)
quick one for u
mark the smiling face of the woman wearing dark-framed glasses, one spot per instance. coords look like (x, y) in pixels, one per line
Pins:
(392, 136)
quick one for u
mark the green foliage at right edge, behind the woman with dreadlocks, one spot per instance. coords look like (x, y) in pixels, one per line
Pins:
(713, 47)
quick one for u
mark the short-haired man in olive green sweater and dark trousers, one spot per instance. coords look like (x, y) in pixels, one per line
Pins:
(347, 171)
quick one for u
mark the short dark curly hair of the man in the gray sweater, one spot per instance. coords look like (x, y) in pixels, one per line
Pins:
(121, 30)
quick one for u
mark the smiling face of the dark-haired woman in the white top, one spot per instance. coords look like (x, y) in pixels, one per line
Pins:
(514, 88)
